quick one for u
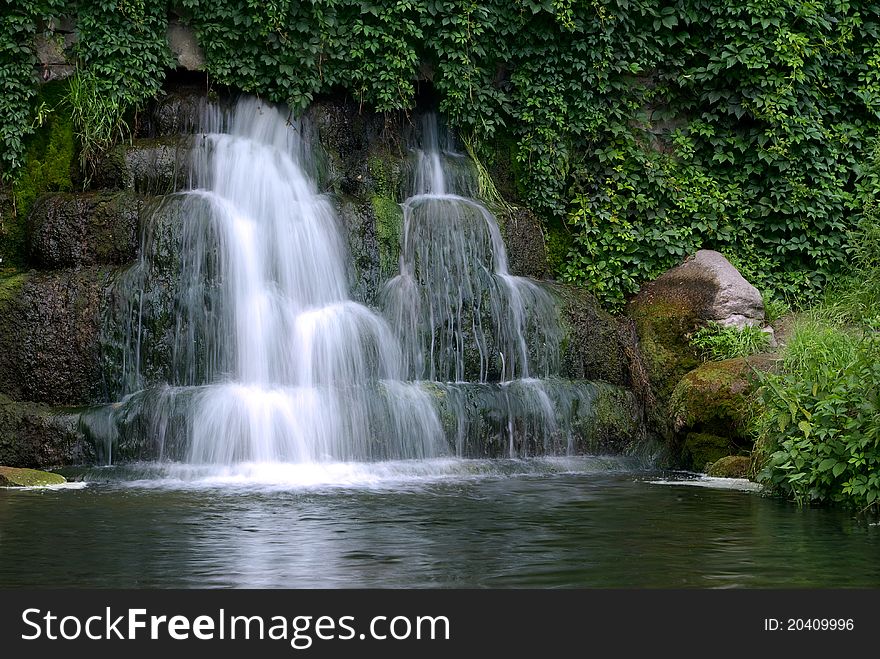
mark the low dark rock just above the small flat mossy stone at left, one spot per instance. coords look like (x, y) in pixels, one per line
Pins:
(38, 436)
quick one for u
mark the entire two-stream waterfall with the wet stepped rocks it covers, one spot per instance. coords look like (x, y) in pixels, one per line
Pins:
(242, 345)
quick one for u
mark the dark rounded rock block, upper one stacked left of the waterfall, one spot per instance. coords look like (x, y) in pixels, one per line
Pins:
(69, 230)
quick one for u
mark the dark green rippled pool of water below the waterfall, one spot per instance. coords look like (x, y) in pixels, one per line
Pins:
(585, 522)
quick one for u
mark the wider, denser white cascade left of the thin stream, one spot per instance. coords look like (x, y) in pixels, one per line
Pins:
(271, 359)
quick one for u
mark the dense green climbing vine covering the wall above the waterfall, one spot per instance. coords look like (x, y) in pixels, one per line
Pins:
(641, 129)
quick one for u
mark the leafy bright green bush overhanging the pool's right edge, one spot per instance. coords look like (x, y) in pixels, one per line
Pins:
(820, 432)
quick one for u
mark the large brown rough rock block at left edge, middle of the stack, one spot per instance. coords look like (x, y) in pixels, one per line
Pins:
(50, 336)
